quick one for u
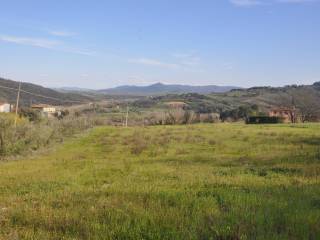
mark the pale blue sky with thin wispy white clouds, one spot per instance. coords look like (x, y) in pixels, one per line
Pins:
(105, 43)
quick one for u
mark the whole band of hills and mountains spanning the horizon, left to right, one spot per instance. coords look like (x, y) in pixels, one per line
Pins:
(203, 99)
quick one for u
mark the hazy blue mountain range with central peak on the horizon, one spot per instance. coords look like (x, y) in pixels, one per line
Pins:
(162, 89)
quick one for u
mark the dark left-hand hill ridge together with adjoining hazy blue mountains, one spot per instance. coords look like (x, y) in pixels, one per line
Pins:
(32, 93)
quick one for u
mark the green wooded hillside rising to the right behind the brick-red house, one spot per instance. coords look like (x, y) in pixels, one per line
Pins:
(305, 98)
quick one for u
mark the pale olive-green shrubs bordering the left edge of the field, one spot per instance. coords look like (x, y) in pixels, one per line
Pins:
(35, 133)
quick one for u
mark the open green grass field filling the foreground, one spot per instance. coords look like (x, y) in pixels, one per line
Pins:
(222, 181)
